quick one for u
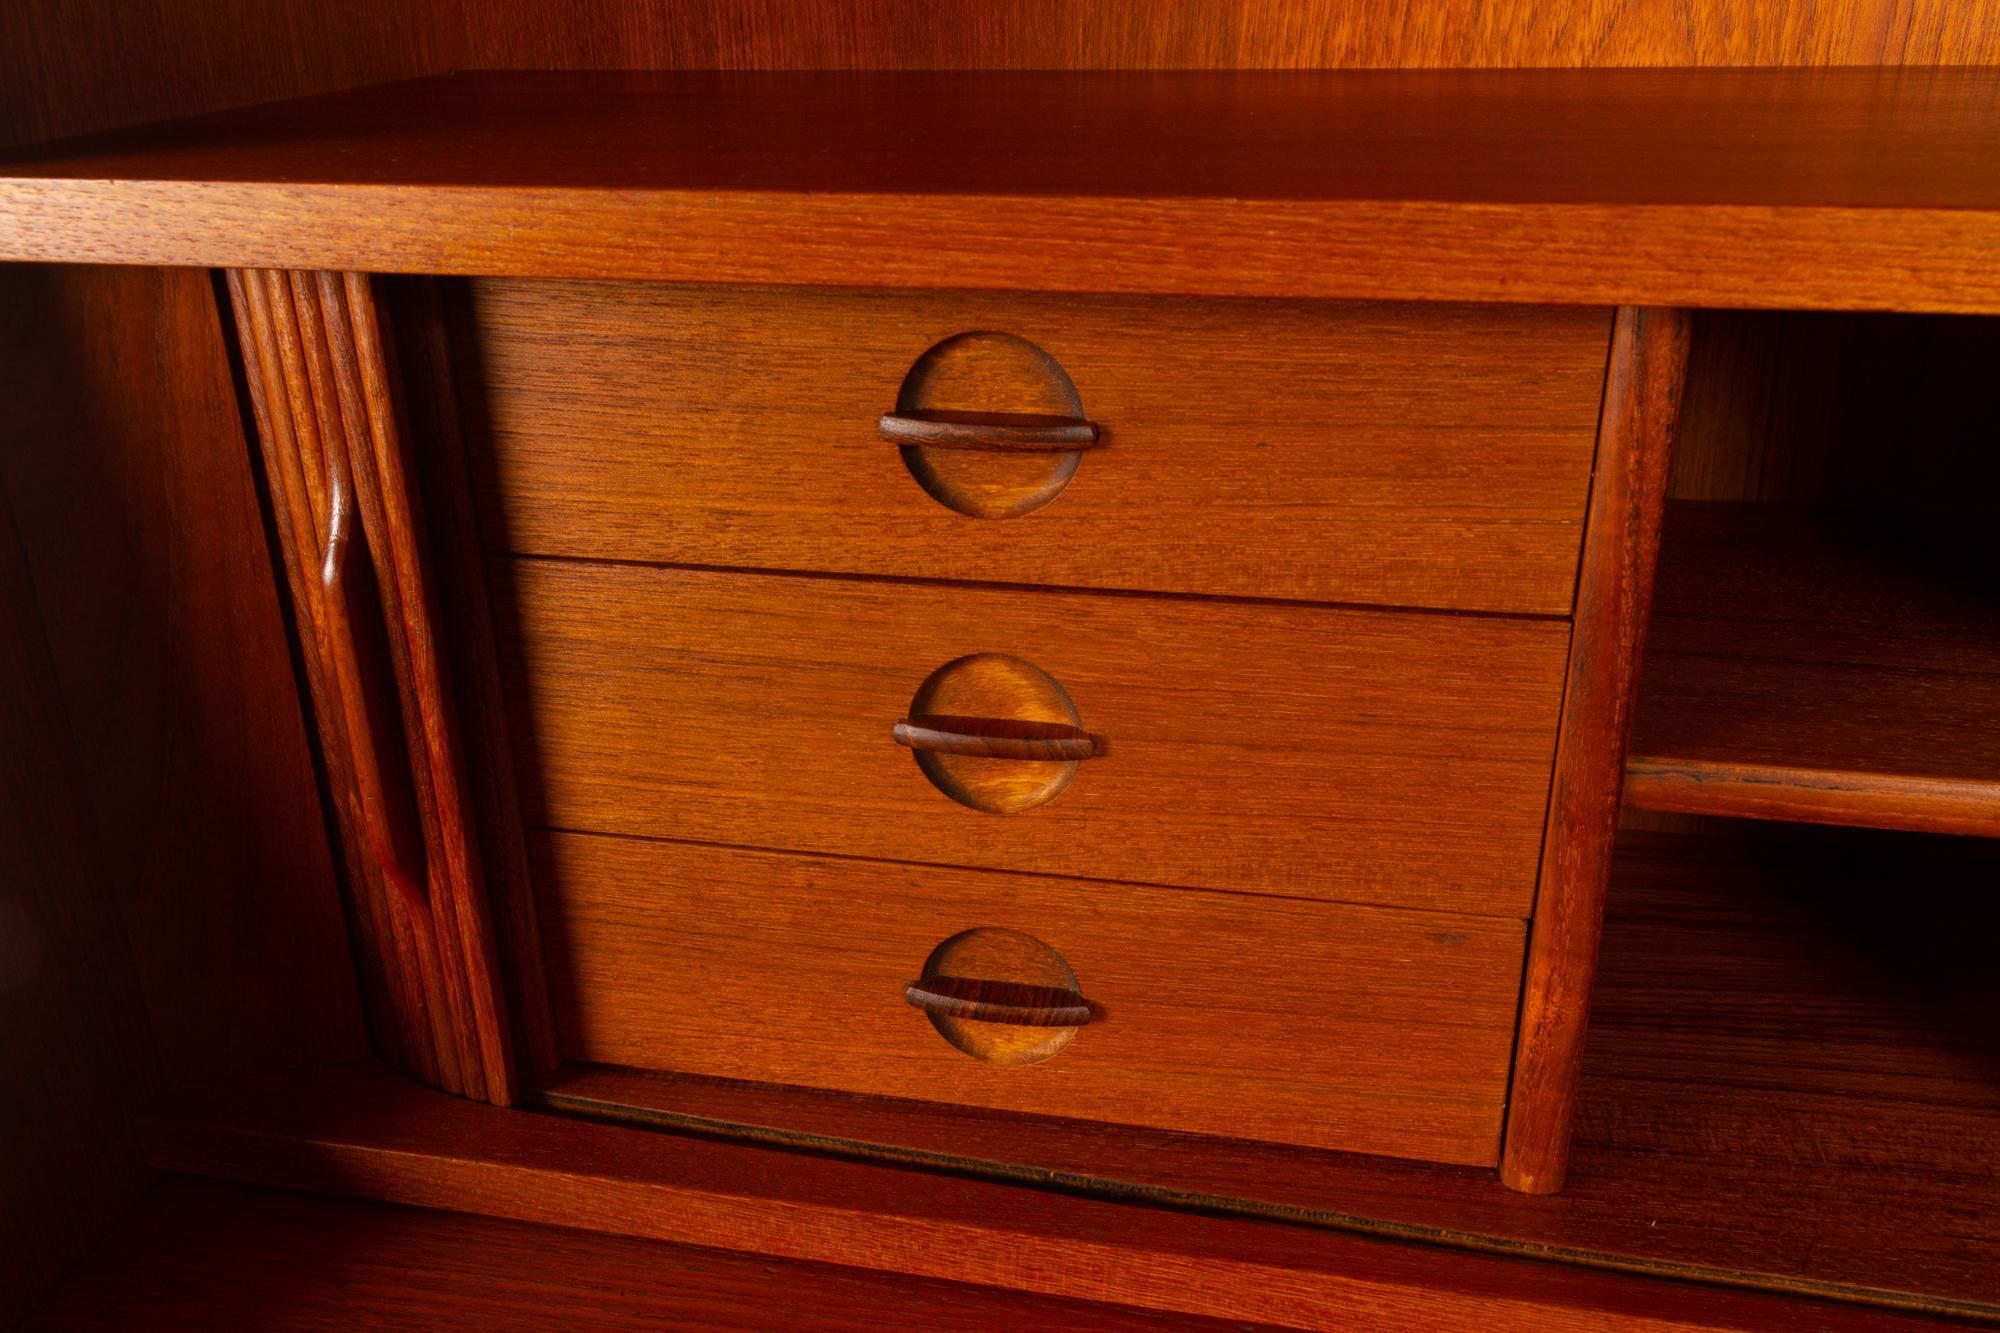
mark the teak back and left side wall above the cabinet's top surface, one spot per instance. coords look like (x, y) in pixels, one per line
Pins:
(83, 71)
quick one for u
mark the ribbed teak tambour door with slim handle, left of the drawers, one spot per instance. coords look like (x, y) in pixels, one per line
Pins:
(329, 419)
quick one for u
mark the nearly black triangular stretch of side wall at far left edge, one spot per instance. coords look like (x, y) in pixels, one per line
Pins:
(73, 1040)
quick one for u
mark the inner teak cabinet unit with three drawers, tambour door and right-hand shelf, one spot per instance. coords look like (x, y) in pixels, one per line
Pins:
(1023, 682)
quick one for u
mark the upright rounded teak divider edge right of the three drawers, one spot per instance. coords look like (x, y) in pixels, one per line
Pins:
(1643, 383)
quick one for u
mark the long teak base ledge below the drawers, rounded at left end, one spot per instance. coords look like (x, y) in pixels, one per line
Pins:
(363, 1132)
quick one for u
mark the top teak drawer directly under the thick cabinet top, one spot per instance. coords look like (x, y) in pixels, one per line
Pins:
(1331, 451)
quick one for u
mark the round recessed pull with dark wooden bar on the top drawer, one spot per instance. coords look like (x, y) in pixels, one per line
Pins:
(991, 425)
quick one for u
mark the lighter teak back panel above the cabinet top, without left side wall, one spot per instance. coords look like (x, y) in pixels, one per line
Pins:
(1223, 35)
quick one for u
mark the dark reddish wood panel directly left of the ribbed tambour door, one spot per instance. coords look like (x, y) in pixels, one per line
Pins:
(139, 521)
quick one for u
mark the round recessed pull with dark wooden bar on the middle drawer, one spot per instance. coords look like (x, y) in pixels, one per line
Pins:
(993, 708)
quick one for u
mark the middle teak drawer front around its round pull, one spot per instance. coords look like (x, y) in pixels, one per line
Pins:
(1349, 756)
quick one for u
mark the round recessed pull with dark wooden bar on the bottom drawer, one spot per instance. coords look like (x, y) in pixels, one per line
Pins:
(1001, 996)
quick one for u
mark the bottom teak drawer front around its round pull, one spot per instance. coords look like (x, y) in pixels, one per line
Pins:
(1311, 1024)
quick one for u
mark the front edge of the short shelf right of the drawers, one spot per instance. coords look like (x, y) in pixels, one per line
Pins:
(1813, 796)
